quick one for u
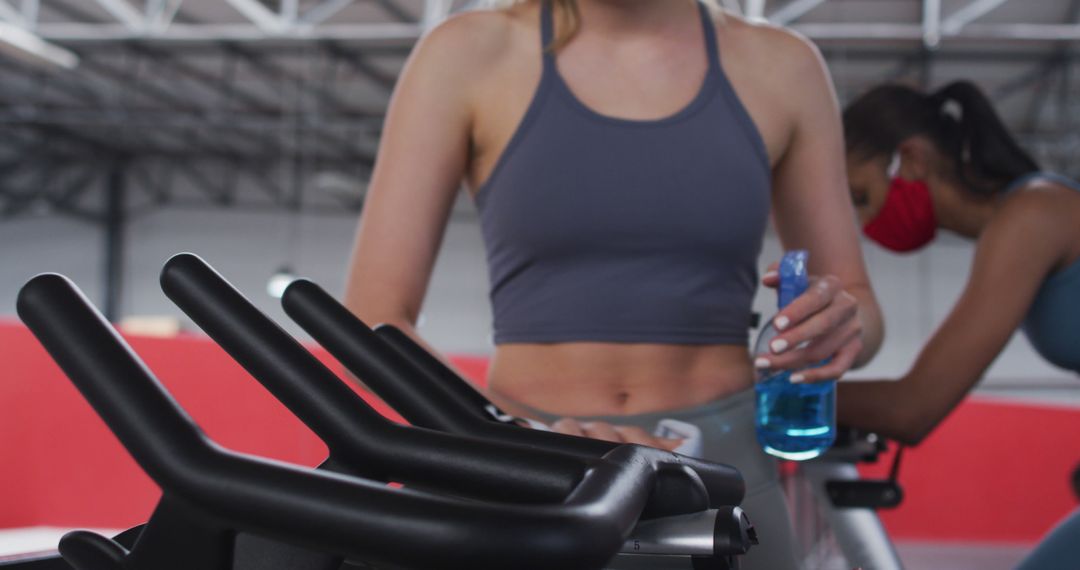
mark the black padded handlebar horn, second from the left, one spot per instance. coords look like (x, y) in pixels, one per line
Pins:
(361, 441)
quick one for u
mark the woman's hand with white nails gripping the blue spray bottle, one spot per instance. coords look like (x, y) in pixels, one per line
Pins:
(821, 324)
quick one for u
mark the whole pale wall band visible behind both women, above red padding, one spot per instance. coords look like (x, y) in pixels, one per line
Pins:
(915, 291)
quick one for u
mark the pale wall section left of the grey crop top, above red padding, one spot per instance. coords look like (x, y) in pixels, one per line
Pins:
(247, 248)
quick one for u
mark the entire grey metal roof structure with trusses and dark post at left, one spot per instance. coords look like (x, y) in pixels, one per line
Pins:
(163, 108)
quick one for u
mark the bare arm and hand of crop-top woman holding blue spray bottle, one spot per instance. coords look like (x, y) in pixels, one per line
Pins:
(840, 316)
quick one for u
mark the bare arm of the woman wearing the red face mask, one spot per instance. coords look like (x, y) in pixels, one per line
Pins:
(1014, 256)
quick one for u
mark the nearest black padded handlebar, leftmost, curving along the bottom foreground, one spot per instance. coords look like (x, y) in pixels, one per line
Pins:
(321, 510)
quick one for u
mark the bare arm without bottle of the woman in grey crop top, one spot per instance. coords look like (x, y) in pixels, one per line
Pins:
(422, 161)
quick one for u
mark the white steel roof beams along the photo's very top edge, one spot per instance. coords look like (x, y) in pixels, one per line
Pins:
(156, 21)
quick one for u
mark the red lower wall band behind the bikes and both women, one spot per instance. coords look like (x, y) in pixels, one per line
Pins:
(992, 472)
